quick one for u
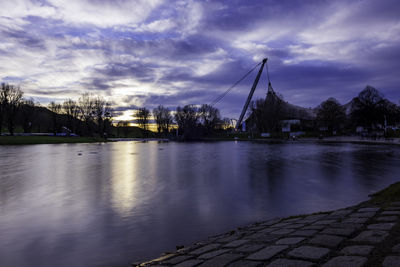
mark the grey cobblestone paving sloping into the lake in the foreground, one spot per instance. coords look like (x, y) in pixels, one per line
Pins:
(362, 235)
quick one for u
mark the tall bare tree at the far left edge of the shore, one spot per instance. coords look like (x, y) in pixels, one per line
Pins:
(10, 99)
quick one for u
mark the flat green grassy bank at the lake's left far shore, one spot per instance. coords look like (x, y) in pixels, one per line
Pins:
(31, 140)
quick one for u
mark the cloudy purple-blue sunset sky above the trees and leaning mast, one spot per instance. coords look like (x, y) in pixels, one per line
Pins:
(143, 53)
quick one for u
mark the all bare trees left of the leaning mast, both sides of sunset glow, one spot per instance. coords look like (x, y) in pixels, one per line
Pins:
(92, 116)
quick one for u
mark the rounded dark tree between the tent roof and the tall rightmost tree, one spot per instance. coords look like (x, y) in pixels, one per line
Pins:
(330, 114)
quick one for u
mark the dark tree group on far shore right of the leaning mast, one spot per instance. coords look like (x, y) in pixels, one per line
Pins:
(369, 111)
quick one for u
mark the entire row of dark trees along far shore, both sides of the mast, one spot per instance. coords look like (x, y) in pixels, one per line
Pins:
(92, 116)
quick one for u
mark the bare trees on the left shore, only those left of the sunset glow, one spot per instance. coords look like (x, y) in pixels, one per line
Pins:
(90, 115)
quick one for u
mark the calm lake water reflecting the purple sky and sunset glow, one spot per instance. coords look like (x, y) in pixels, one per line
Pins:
(122, 202)
